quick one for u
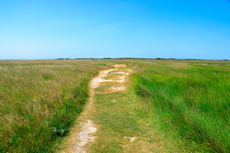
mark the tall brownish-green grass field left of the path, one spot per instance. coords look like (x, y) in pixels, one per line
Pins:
(39, 100)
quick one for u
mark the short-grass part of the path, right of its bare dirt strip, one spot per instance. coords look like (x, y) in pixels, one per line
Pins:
(122, 125)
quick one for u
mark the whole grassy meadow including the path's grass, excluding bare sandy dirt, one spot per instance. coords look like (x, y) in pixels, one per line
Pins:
(186, 102)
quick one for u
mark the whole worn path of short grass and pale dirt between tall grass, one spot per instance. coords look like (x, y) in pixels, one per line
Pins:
(110, 121)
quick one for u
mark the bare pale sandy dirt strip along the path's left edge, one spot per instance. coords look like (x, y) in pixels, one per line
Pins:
(84, 134)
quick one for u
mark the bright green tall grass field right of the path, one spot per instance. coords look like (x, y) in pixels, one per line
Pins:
(189, 102)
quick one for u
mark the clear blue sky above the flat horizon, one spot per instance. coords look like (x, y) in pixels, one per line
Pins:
(49, 29)
